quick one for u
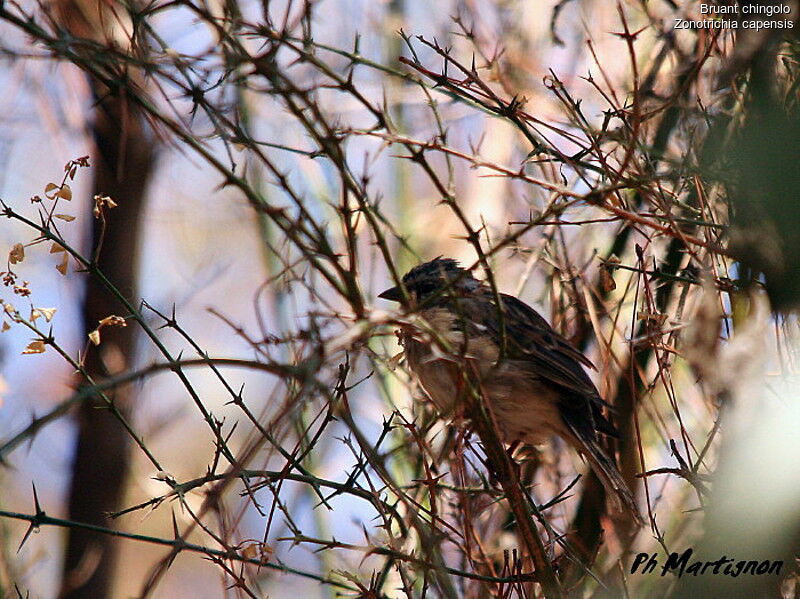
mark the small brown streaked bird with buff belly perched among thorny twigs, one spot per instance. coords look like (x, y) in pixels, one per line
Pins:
(534, 383)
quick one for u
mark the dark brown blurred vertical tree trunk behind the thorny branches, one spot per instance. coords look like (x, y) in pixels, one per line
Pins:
(122, 165)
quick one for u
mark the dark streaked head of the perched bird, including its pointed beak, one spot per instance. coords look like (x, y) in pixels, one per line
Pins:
(433, 277)
